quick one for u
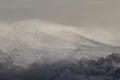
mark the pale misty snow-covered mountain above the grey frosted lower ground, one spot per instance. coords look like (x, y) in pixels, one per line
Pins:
(38, 34)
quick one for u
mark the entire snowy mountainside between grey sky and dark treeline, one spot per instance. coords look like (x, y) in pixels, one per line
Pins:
(31, 41)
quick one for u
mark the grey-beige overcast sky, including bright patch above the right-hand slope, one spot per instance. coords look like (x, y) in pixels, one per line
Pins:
(99, 17)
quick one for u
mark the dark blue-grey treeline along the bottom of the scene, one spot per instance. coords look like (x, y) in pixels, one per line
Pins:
(104, 68)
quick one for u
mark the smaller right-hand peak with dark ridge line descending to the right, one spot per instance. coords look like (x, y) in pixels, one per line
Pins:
(79, 40)
